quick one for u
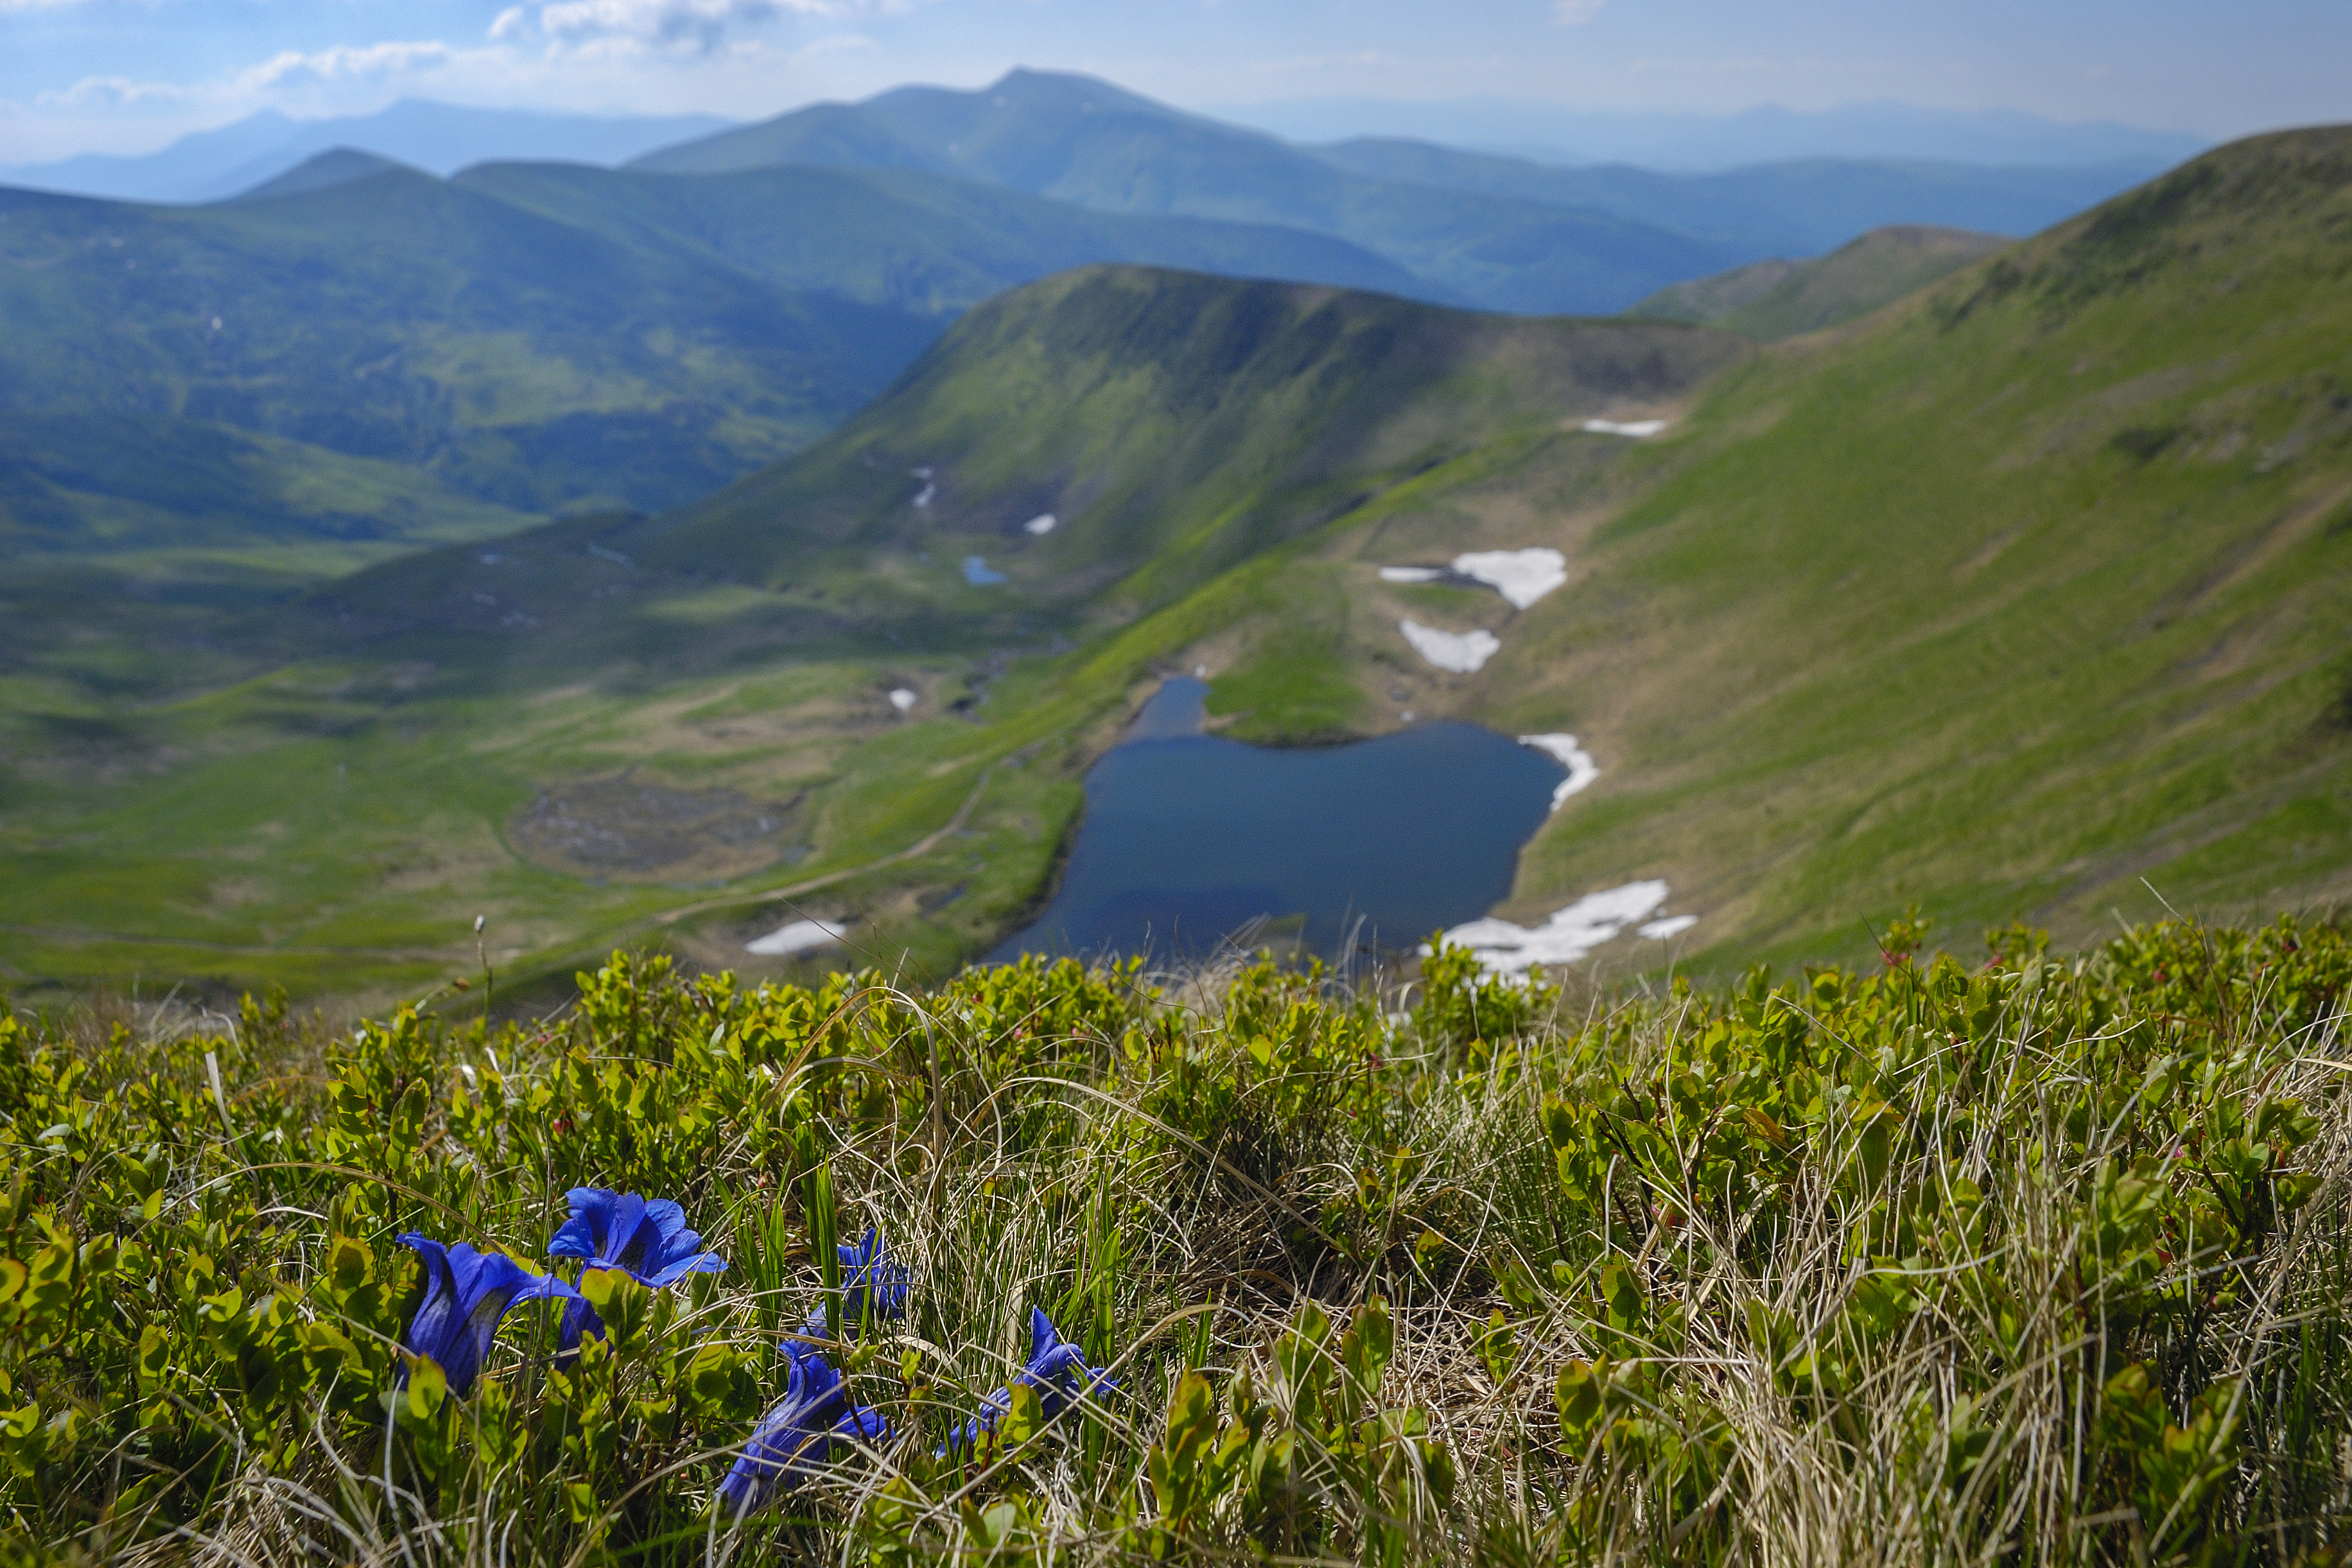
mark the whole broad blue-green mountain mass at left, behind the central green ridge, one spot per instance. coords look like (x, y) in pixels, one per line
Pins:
(403, 361)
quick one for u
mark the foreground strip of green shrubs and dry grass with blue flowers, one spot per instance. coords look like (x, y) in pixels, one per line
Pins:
(2017, 1261)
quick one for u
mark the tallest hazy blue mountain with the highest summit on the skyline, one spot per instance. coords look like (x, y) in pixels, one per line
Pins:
(1093, 145)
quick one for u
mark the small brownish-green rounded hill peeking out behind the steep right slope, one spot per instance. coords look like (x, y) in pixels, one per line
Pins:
(1777, 300)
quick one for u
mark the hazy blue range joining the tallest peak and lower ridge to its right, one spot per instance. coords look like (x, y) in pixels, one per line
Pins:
(1504, 234)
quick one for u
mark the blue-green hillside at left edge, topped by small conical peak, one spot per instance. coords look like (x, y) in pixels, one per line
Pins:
(495, 354)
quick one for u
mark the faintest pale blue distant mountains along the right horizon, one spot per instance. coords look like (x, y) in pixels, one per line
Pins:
(1723, 142)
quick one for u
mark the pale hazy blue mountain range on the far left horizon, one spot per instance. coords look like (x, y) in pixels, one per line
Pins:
(434, 138)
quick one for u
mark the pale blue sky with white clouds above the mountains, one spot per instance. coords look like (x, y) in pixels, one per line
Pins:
(133, 74)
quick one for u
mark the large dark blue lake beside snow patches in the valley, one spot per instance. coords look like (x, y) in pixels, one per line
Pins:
(1189, 838)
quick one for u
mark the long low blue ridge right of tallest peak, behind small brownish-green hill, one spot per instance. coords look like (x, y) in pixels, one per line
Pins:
(1800, 208)
